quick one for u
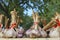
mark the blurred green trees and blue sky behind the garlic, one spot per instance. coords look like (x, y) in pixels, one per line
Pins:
(45, 8)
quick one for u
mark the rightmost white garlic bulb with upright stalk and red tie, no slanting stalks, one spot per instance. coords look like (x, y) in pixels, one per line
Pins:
(55, 32)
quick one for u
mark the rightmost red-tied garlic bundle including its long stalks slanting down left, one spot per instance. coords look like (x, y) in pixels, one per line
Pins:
(55, 24)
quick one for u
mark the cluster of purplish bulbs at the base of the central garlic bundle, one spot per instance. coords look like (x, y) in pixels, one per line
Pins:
(36, 33)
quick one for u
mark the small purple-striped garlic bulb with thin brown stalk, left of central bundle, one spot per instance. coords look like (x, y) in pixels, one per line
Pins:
(19, 29)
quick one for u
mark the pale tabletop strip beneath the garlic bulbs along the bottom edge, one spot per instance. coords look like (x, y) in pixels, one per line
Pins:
(29, 38)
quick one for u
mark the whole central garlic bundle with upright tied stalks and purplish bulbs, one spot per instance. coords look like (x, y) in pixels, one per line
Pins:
(35, 30)
